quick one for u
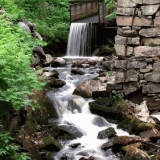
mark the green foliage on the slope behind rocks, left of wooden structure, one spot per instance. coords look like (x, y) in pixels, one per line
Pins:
(51, 16)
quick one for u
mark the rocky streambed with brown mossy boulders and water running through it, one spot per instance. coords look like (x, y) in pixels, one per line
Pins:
(136, 116)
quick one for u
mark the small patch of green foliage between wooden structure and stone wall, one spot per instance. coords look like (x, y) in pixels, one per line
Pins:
(110, 5)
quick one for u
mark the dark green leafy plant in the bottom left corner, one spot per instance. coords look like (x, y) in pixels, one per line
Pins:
(9, 151)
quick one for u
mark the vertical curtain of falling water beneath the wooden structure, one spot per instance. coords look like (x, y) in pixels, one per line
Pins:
(82, 39)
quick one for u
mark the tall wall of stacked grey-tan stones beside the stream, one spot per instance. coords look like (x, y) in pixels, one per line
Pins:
(137, 45)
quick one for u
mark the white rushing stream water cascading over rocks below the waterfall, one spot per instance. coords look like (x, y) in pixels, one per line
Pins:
(74, 110)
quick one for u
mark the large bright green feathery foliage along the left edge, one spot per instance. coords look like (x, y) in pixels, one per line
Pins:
(17, 79)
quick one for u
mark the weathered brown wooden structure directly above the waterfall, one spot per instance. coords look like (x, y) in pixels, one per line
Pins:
(88, 11)
